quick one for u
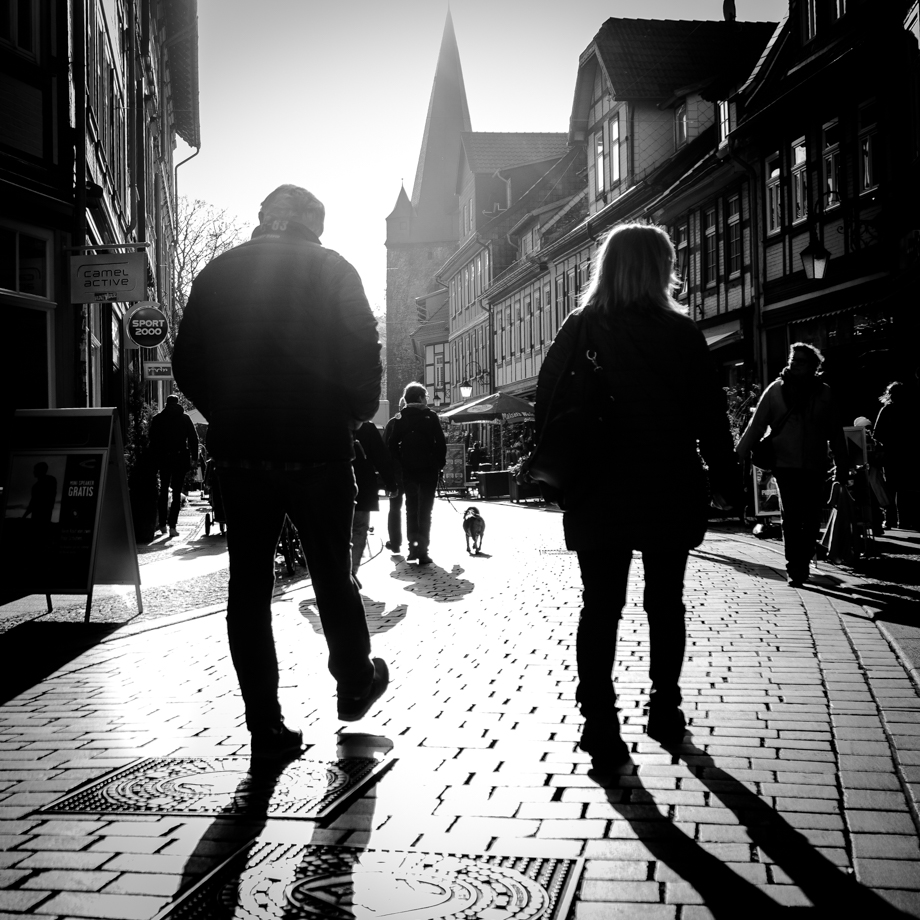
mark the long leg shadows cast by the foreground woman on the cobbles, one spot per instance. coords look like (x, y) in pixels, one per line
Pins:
(831, 890)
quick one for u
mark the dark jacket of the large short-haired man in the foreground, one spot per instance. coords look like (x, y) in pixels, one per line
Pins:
(278, 349)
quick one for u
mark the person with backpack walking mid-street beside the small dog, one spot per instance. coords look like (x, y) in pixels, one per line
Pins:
(417, 445)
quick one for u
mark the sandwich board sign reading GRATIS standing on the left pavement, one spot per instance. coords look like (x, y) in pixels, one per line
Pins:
(66, 523)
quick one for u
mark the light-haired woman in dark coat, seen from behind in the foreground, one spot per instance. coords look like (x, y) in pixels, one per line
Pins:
(661, 407)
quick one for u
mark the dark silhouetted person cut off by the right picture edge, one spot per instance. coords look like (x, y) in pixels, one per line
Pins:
(897, 430)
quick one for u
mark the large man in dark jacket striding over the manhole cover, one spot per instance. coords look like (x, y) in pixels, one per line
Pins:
(278, 348)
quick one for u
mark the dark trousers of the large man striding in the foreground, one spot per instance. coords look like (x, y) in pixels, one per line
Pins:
(320, 502)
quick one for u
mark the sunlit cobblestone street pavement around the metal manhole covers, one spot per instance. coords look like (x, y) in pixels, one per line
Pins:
(797, 790)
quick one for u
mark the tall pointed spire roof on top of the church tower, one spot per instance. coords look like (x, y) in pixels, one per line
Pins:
(433, 194)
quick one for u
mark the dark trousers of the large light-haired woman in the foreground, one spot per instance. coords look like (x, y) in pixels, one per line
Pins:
(604, 575)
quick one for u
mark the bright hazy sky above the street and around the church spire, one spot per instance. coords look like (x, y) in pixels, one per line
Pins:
(333, 95)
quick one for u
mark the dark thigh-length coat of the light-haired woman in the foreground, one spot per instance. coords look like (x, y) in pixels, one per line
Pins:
(644, 484)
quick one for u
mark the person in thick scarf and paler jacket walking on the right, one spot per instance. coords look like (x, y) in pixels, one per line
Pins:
(800, 408)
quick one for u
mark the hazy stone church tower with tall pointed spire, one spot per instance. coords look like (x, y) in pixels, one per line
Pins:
(424, 232)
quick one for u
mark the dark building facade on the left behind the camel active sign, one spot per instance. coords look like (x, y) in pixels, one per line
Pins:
(93, 95)
